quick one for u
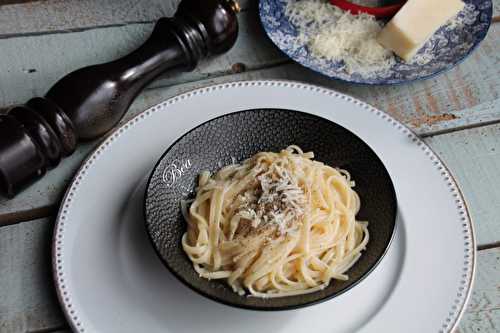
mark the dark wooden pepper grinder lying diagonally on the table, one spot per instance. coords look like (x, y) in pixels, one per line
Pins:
(88, 102)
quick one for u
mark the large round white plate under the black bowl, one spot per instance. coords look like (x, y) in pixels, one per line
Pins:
(109, 278)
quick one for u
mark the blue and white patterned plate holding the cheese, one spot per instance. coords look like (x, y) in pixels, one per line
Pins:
(449, 46)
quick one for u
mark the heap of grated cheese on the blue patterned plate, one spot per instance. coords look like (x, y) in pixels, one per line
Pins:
(336, 35)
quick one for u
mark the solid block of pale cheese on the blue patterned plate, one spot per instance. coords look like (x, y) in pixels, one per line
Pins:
(415, 23)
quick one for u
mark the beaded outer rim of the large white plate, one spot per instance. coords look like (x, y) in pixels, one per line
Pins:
(470, 253)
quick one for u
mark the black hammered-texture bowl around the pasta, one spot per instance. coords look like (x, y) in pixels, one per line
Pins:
(240, 135)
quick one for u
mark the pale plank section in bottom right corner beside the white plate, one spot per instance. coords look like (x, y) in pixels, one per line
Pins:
(483, 312)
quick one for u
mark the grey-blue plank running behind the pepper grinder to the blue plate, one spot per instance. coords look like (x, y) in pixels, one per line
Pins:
(33, 64)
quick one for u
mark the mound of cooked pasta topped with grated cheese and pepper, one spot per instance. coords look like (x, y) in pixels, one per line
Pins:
(278, 224)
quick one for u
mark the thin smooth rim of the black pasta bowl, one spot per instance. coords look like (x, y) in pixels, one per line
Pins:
(275, 308)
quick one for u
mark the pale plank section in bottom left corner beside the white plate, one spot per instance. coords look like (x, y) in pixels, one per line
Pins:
(27, 297)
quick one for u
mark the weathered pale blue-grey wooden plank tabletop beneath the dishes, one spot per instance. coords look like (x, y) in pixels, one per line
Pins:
(458, 115)
